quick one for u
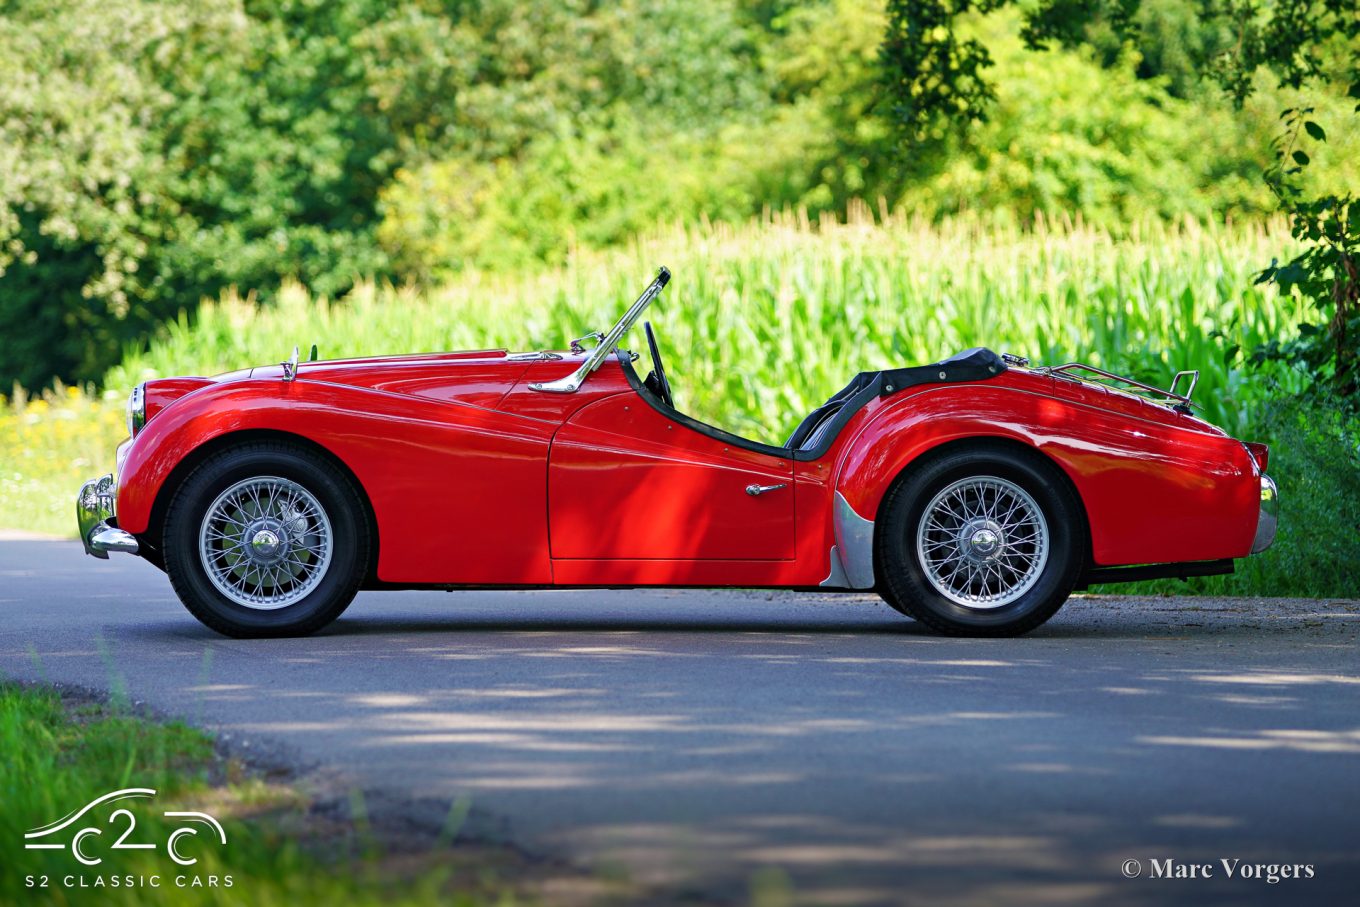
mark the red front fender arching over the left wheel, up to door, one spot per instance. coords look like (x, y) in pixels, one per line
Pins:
(437, 474)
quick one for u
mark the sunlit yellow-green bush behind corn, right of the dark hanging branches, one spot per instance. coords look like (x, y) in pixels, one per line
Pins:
(1070, 138)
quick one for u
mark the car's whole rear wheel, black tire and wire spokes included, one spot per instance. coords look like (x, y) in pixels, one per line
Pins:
(981, 542)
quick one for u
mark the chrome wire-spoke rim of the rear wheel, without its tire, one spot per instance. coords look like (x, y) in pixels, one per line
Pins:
(983, 542)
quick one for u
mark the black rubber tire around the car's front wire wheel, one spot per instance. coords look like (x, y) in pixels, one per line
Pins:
(342, 507)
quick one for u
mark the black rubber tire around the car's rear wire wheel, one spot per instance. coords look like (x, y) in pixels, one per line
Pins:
(904, 576)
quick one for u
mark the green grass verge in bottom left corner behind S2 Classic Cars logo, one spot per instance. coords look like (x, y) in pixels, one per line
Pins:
(59, 758)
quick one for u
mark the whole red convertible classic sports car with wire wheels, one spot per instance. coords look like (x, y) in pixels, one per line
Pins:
(974, 494)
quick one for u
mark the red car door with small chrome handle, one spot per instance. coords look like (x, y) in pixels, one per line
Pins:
(630, 482)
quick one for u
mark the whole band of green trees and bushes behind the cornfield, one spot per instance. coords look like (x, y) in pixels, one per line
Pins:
(153, 156)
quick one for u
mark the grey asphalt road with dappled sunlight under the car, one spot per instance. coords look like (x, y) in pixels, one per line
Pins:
(700, 740)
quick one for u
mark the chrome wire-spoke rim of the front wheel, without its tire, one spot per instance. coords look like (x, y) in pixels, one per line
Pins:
(266, 543)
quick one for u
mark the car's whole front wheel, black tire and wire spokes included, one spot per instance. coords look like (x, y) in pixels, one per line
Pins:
(266, 541)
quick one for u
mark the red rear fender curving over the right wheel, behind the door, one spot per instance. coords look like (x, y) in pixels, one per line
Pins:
(1154, 492)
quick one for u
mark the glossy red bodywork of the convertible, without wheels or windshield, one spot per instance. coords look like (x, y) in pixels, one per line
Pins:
(473, 477)
